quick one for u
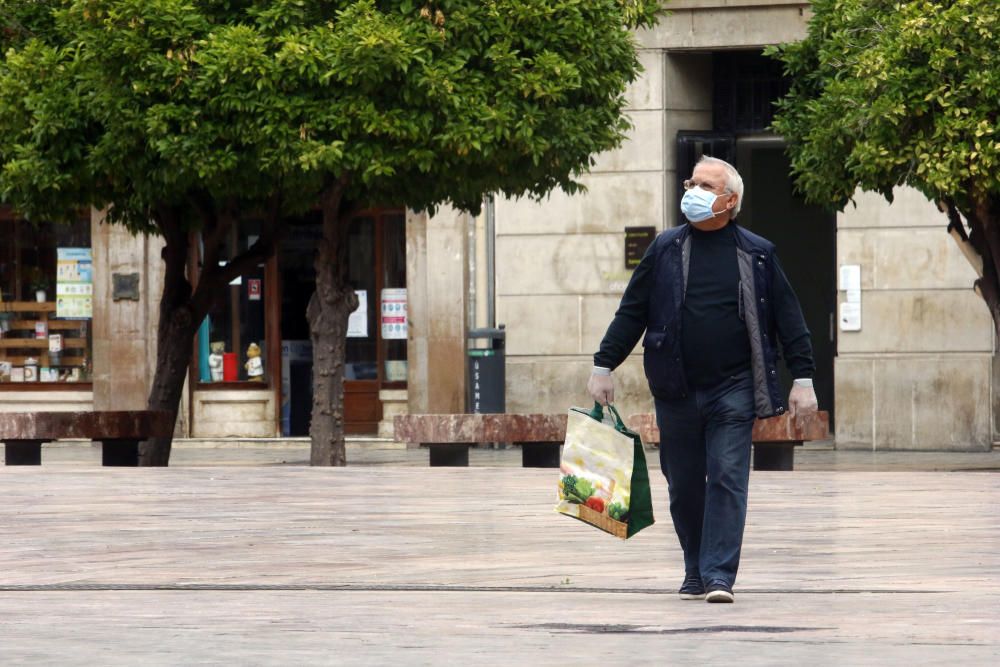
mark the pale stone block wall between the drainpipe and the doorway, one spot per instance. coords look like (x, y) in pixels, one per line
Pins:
(560, 268)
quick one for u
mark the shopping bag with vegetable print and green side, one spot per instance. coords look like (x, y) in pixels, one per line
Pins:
(603, 476)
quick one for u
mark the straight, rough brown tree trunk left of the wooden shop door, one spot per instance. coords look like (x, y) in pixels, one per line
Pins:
(329, 309)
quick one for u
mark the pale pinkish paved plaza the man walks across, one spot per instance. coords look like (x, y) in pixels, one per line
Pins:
(391, 562)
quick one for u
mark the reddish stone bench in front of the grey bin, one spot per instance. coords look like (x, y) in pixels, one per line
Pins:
(449, 437)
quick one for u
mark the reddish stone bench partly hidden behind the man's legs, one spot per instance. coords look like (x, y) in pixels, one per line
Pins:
(774, 439)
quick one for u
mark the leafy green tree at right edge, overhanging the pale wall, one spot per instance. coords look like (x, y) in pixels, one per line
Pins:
(902, 92)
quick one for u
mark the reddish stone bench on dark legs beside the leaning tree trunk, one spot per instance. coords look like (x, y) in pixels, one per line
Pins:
(119, 432)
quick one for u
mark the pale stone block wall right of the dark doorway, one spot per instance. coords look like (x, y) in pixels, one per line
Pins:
(918, 374)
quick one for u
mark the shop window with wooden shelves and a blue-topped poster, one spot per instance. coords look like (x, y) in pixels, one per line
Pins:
(46, 302)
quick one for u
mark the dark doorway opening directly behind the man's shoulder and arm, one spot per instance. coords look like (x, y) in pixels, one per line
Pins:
(806, 237)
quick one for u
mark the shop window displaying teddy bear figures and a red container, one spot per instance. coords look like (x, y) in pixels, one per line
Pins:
(231, 340)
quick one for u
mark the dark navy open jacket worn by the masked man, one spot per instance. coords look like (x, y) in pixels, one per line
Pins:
(768, 306)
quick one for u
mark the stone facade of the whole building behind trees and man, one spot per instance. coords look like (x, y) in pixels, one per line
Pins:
(918, 373)
